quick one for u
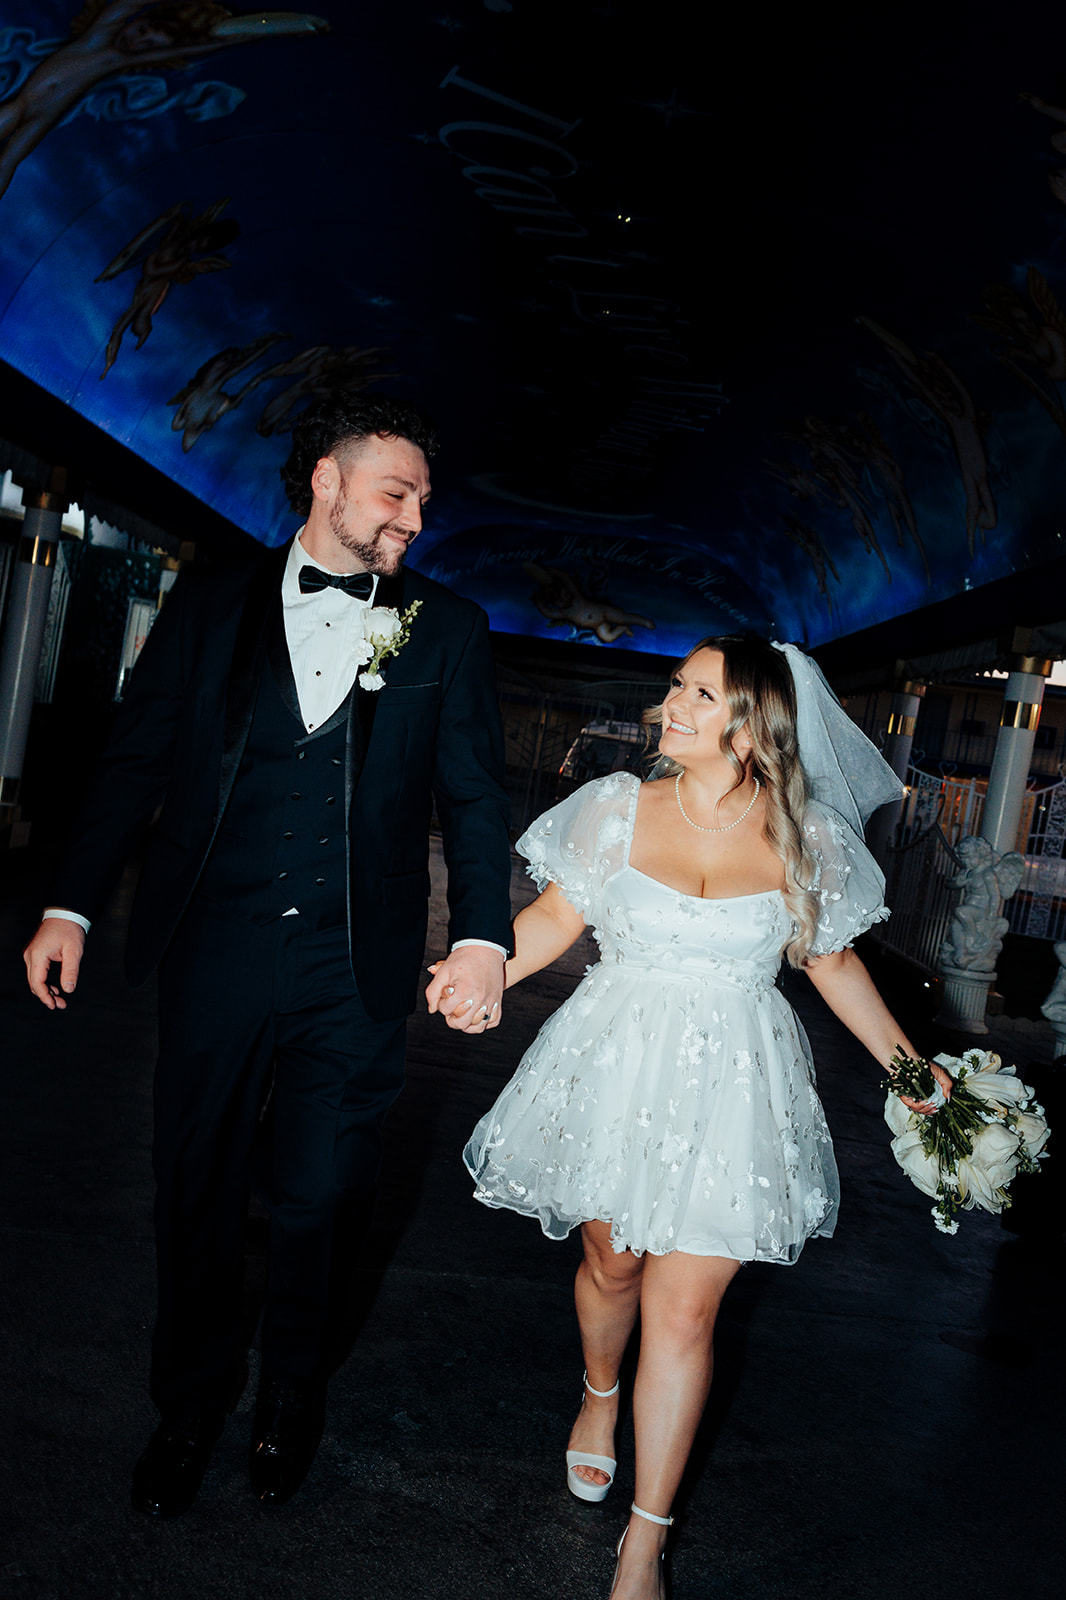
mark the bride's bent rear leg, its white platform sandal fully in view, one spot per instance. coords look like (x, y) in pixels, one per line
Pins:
(607, 1295)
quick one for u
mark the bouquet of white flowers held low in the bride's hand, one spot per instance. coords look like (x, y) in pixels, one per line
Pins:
(969, 1151)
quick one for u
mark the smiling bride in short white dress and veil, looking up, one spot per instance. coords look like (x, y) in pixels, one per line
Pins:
(668, 1108)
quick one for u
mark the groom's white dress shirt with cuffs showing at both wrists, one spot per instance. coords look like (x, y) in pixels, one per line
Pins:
(323, 631)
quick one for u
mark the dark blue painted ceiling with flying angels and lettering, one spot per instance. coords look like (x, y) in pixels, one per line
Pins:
(761, 330)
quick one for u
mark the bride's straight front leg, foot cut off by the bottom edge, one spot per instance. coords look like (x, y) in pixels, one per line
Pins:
(679, 1305)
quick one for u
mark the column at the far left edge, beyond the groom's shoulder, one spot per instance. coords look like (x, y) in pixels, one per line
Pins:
(25, 631)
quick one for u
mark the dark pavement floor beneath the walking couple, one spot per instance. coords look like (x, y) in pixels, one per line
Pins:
(886, 1422)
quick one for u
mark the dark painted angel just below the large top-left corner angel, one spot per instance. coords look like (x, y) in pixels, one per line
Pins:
(170, 262)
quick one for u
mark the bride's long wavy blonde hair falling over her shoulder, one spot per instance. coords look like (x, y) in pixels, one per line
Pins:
(761, 695)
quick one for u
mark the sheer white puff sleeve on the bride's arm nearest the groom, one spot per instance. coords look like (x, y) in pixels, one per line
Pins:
(583, 841)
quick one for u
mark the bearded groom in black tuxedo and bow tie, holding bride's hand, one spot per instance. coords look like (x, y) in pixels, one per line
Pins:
(286, 900)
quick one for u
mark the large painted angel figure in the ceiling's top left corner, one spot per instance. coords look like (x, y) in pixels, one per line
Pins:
(111, 38)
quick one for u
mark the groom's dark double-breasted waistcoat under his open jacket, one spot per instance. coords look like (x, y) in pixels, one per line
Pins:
(283, 839)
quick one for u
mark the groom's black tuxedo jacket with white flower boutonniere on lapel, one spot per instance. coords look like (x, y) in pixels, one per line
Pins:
(182, 730)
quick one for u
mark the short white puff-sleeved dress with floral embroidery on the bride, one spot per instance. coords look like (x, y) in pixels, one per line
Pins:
(673, 1094)
